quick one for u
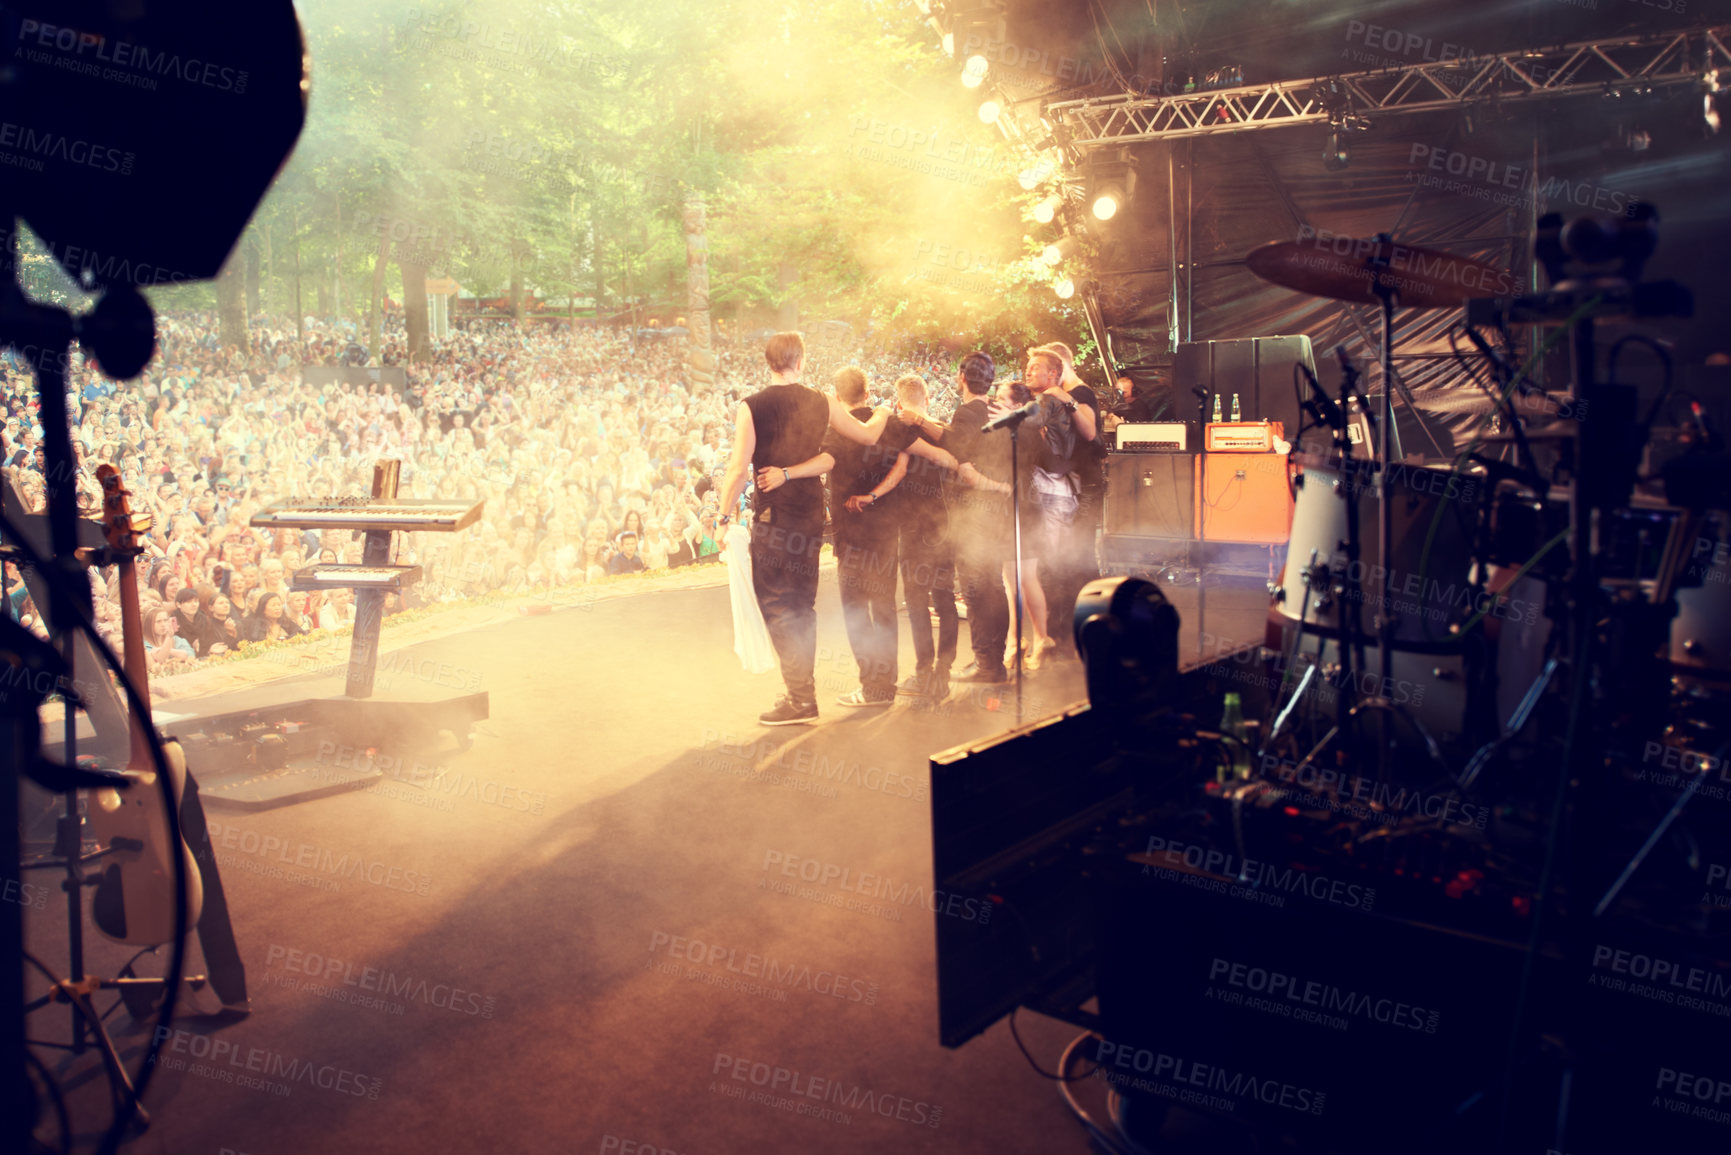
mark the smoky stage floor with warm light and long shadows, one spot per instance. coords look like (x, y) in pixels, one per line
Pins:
(557, 941)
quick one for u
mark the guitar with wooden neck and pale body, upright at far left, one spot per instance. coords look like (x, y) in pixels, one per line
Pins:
(136, 896)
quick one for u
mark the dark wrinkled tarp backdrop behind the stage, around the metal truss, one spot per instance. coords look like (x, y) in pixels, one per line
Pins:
(1226, 195)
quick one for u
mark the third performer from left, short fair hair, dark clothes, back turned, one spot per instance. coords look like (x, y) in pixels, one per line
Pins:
(929, 562)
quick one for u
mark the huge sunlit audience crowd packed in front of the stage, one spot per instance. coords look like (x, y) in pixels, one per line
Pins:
(586, 444)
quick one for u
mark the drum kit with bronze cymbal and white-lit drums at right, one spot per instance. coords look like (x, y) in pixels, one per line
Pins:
(1469, 569)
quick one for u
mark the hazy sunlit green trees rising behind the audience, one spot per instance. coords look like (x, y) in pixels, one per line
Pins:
(557, 143)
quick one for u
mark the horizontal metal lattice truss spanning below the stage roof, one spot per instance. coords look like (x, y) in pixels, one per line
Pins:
(1625, 67)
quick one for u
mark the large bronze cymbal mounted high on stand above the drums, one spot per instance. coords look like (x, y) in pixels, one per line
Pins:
(1346, 269)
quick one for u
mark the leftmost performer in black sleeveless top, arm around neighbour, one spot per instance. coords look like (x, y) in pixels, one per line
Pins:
(780, 434)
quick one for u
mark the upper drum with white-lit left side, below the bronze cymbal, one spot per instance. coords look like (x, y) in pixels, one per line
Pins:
(1427, 591)
